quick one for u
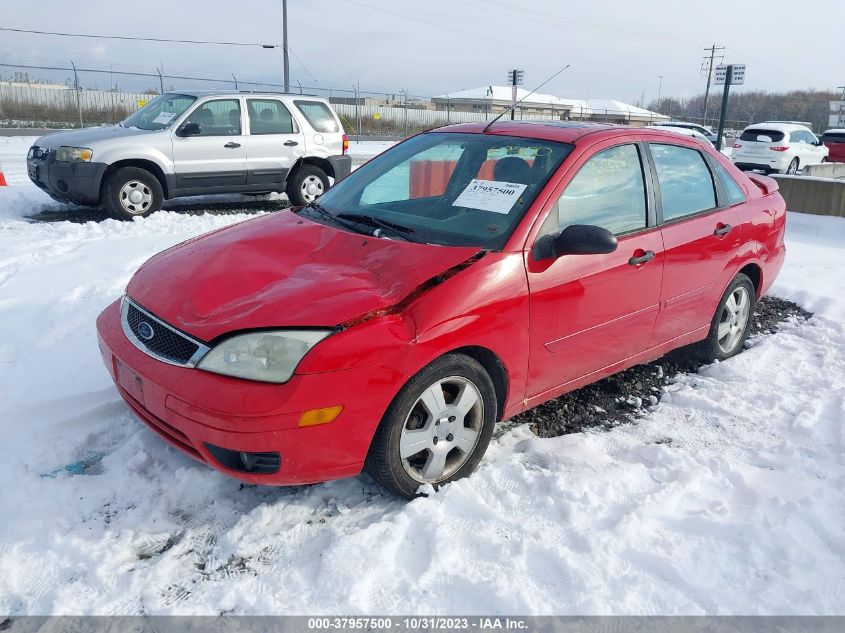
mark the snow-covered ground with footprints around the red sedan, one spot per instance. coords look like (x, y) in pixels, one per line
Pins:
(727, 497)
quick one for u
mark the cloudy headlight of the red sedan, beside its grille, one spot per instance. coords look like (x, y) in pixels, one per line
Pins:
(270, 356)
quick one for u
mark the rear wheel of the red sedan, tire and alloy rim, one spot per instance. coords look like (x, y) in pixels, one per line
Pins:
(731, 323)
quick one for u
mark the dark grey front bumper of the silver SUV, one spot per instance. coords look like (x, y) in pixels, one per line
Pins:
(67, 182)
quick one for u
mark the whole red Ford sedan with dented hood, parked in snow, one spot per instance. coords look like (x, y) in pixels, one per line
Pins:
(461, 277)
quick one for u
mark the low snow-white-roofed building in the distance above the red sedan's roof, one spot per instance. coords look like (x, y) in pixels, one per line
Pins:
(497, 99)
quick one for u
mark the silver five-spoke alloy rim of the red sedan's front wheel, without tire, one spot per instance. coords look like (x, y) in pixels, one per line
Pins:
(442, 430)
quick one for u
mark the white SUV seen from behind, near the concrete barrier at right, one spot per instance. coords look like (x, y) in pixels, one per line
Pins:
(777, 147)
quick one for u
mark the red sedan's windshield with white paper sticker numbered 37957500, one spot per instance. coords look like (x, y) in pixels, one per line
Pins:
(452, 189)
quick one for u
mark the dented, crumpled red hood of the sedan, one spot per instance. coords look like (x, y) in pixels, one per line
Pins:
(282, 270)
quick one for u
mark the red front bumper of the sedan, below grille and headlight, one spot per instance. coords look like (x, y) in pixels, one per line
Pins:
(191, 409)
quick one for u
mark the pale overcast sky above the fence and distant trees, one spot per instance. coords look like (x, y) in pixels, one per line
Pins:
(616, 49)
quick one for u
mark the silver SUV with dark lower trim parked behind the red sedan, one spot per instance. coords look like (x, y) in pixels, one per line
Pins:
(193, 143)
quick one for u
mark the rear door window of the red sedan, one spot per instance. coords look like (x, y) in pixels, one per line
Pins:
(686, 185)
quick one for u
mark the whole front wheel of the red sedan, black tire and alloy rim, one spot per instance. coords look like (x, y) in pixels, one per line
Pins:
(437, 428)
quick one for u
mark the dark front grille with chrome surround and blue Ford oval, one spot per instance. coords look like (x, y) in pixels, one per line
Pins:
(155, 337)
